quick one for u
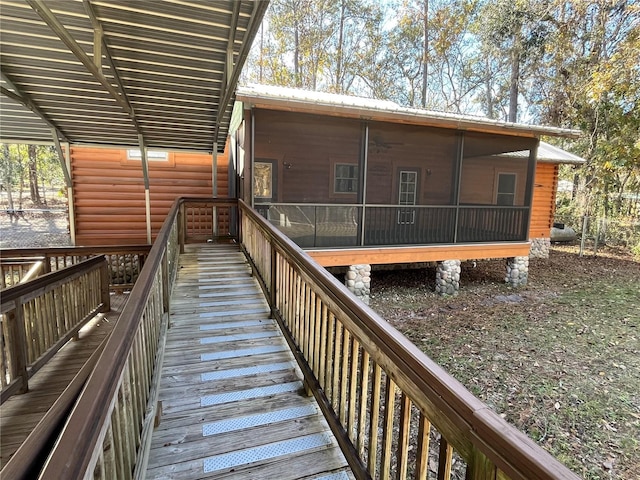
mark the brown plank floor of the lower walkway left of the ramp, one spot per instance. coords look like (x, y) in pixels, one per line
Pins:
(21, 413)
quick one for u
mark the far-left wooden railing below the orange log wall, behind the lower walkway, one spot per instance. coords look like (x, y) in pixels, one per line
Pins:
(125, 262)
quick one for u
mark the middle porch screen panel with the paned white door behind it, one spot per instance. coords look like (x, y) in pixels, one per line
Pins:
(410, 185)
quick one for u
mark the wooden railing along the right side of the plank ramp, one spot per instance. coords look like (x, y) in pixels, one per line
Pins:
(488, 444)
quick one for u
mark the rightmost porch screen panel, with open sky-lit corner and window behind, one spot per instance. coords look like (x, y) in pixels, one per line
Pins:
(494, 181)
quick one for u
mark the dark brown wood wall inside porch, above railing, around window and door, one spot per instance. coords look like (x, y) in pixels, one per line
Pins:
(305, 149)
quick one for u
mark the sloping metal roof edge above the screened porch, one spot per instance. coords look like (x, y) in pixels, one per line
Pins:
(263, 96)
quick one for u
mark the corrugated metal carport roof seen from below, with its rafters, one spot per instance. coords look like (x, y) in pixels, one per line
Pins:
(166, 73)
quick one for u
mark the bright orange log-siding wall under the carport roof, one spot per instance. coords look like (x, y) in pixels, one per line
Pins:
(109, 198)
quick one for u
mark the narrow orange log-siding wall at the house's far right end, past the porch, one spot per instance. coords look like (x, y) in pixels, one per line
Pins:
(544, 200)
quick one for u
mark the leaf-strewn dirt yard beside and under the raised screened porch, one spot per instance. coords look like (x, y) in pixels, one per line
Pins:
(560, 358)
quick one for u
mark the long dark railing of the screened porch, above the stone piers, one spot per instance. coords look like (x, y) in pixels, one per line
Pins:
(349, 225)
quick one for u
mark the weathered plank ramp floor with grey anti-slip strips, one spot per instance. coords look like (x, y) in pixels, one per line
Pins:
(233, 403)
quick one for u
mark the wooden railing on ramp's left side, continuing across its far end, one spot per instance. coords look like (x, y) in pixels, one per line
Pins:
(110, 427)
